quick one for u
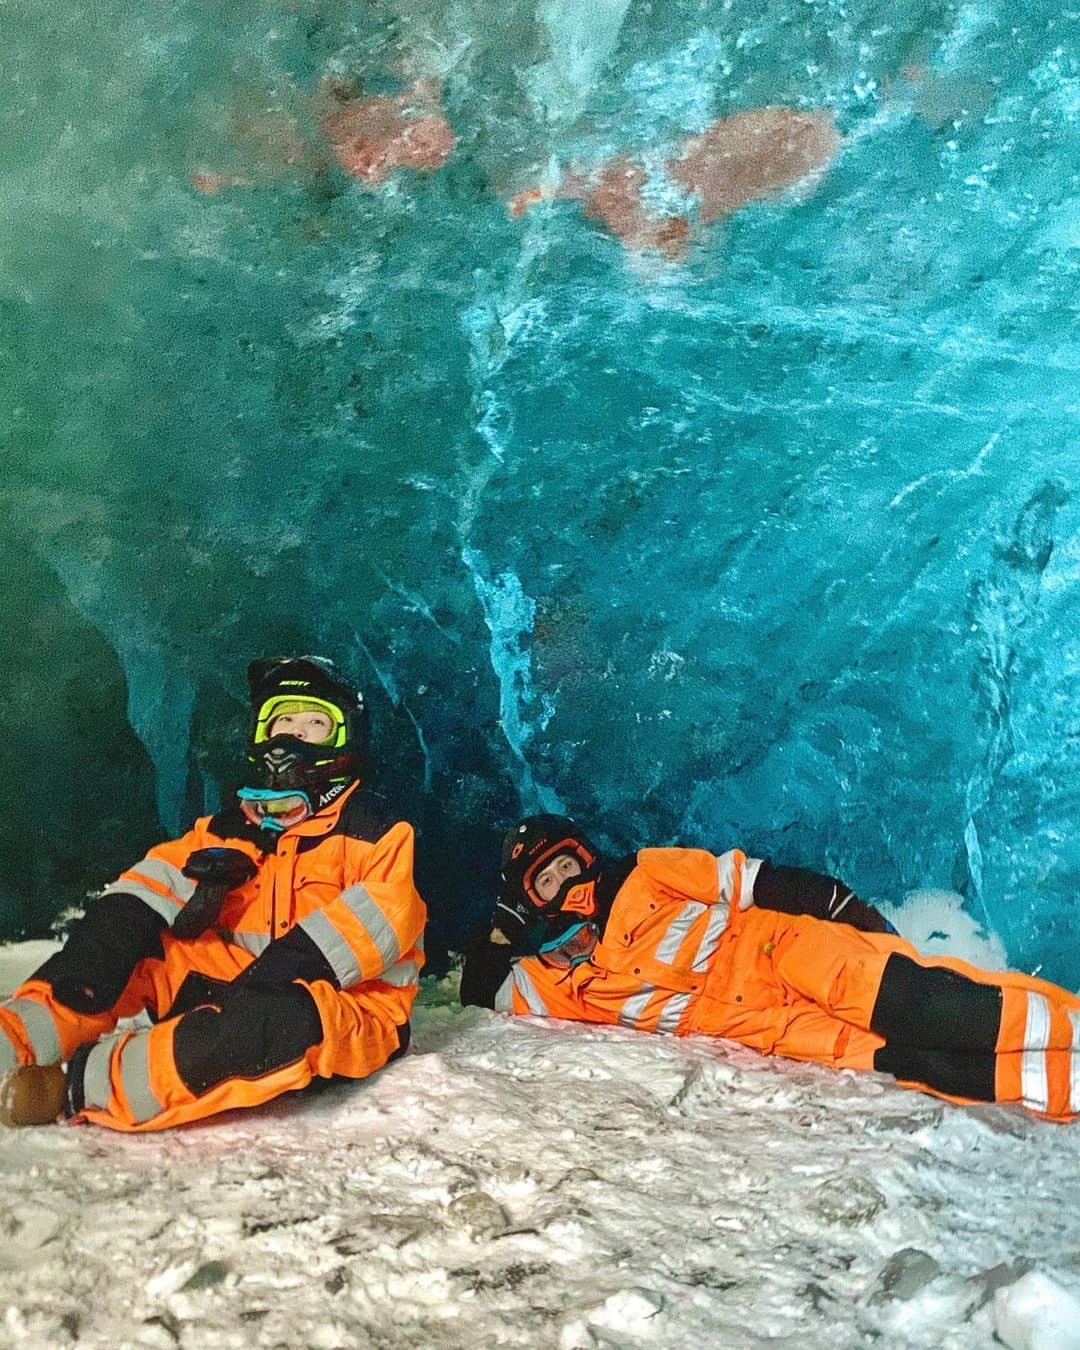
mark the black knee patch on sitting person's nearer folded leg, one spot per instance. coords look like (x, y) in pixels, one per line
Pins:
(257, 1032)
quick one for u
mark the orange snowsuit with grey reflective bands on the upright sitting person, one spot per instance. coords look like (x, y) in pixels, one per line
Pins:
(342, 878)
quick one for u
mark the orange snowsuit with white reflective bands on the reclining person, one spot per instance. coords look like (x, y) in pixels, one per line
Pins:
(685, 951)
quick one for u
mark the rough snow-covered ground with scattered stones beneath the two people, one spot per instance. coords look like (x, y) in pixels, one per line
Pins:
(514, 1183)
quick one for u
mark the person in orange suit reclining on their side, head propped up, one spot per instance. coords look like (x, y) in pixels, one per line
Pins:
(780, 959)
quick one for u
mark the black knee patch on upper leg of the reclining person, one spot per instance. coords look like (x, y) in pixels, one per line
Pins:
(936, 1009)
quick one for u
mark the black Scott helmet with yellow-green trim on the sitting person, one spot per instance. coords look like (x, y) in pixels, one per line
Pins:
(284, 685)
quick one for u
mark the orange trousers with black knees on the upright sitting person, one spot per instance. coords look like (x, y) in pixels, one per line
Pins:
(257, 1046)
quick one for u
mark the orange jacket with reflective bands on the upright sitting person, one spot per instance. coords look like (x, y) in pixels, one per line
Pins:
(353, 896)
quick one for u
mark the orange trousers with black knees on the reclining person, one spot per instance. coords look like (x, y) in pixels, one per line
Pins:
(827, 993)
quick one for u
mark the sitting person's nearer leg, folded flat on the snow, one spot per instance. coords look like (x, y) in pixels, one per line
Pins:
(261, 1044)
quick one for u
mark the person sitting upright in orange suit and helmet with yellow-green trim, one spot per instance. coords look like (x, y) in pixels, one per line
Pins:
(277, 942)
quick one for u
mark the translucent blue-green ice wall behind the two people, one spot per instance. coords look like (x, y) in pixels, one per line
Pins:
(777, 546)
